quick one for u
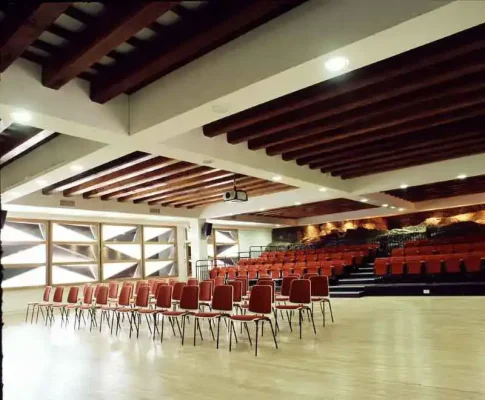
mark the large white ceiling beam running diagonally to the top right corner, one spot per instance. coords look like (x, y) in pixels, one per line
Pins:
(258, 66)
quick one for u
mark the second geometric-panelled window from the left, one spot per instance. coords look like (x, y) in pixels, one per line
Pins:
(75, 253)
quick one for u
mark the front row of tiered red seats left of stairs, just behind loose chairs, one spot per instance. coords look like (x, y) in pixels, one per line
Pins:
(330, 268)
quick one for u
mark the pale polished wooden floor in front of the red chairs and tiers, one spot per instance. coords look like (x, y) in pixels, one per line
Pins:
(378, 348)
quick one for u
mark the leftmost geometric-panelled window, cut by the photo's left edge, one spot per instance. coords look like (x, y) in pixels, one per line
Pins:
(24, 253)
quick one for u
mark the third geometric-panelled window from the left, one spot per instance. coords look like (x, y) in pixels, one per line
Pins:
(121, 252)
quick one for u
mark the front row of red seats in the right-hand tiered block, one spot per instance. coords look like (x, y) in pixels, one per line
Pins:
(429, 264)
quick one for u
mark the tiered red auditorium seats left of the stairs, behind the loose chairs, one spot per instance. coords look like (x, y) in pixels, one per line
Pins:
(331, 262)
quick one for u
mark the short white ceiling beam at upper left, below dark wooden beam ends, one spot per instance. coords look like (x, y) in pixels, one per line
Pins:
(67, 110)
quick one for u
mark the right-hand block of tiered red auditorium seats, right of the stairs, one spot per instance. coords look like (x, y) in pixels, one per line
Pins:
(433, 259)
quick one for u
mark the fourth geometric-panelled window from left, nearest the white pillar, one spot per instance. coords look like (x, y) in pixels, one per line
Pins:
(160, 251)
